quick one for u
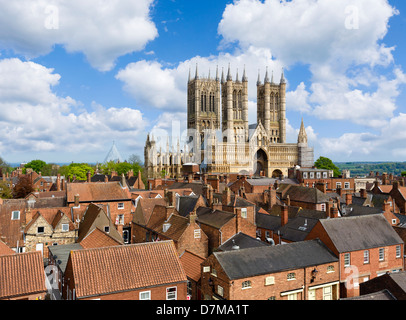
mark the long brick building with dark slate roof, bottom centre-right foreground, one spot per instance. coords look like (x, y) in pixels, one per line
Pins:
(305, 270)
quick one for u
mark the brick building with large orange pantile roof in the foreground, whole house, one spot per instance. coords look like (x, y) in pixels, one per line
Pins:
(147, 271)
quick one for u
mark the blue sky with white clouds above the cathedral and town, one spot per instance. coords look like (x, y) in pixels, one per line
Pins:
(78, 76)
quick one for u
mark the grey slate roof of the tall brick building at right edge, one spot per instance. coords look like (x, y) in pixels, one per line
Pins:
(360, 232)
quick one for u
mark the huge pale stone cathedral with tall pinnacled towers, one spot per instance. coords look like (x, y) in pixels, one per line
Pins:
(219, 137)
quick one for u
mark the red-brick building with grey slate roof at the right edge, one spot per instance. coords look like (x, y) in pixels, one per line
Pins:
(367, 247)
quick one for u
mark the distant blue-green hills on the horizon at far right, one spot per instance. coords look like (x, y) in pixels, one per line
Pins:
(361, 169)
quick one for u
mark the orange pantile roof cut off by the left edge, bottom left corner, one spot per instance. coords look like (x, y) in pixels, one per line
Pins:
(21, 274)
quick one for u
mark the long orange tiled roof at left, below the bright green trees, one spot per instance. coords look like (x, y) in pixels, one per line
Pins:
(96, 191)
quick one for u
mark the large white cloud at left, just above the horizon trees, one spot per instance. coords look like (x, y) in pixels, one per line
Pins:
(33, 118)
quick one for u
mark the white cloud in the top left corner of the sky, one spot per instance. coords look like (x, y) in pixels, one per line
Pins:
(102, 30)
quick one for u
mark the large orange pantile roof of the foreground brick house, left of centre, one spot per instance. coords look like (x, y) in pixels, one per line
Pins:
(122, 268)
